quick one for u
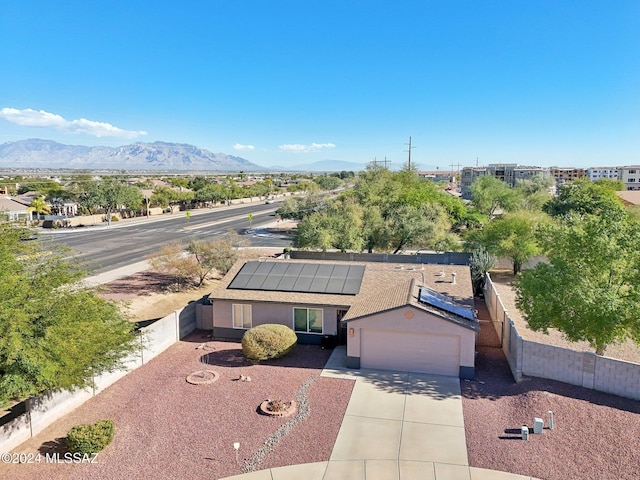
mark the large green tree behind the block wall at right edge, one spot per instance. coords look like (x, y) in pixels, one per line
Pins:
(590, 289)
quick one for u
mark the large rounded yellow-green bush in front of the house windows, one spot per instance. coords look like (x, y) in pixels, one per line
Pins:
(268, 341)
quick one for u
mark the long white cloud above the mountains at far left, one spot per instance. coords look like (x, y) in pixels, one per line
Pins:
(40, 118)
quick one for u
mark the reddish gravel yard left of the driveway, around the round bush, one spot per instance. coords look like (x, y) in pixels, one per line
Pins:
(168, 428)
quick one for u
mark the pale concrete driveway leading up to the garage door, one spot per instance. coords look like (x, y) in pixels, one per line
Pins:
(397, 426)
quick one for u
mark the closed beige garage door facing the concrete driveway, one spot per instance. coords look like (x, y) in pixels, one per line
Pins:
(410, 352)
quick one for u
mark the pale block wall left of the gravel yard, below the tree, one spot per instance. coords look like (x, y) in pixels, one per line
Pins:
(43, 411)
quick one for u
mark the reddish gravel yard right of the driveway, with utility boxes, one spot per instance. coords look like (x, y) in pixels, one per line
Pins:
(595, 436)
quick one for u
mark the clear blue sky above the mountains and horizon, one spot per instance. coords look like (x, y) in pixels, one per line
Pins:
(293, 82)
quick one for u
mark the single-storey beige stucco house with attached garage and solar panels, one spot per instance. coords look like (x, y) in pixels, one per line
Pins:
(391, 317)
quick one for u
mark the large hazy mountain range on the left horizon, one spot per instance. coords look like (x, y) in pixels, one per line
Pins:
(36, 153)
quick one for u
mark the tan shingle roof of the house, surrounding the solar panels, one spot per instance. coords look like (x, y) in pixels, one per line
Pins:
(361, 287)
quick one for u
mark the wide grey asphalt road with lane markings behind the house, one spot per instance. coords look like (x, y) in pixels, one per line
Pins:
(106, 248)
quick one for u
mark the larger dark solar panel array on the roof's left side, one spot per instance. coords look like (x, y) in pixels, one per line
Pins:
(299, 277)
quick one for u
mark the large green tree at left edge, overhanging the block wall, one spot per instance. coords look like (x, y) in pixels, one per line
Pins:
(54, 333)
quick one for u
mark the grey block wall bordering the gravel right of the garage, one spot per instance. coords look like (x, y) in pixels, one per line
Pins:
(585, 369)
